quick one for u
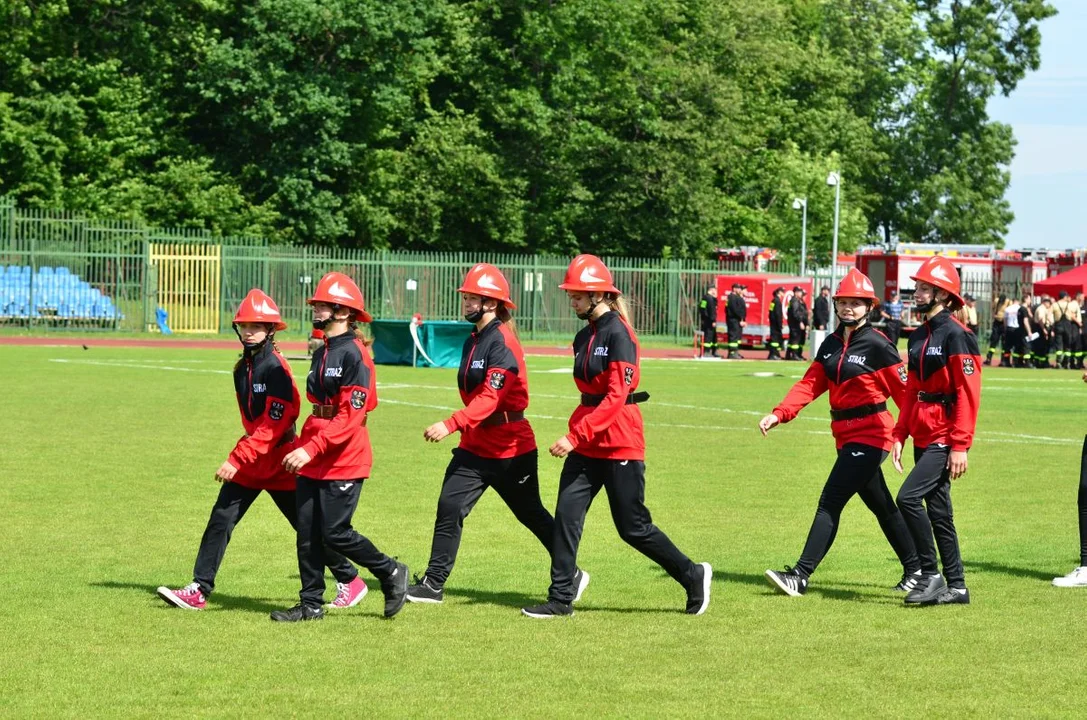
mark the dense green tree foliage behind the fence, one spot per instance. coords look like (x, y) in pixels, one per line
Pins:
(641, 128)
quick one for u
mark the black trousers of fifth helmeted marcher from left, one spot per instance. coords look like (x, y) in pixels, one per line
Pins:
(857, 471)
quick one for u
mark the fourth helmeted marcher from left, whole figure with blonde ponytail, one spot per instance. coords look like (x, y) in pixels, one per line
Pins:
(606, 446)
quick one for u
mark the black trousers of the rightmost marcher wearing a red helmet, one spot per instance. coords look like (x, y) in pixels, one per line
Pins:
(926, 502)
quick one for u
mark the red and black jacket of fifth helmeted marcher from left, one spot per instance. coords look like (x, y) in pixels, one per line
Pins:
(863, 371)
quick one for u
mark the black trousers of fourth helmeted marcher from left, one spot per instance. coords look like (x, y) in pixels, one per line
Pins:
(626, 483)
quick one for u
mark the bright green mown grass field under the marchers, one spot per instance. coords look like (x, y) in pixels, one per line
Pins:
(107, 483)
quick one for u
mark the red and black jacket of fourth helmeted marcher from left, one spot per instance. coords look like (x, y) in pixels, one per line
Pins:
(606, 366)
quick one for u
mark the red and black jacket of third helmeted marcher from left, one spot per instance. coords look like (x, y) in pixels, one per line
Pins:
(493, 379)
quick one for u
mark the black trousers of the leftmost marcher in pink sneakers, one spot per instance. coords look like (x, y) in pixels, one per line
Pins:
(234, 501)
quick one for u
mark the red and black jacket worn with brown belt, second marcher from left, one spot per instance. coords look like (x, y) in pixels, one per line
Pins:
(342, 375)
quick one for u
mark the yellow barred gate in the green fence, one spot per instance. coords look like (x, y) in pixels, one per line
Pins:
(189, 278)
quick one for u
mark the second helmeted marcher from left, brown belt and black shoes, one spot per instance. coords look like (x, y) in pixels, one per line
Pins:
(334, 456)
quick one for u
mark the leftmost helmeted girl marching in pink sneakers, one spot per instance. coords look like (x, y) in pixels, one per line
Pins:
(269, 403)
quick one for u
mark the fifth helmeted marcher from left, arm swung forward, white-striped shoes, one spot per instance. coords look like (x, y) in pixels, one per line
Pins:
(860, 368)
